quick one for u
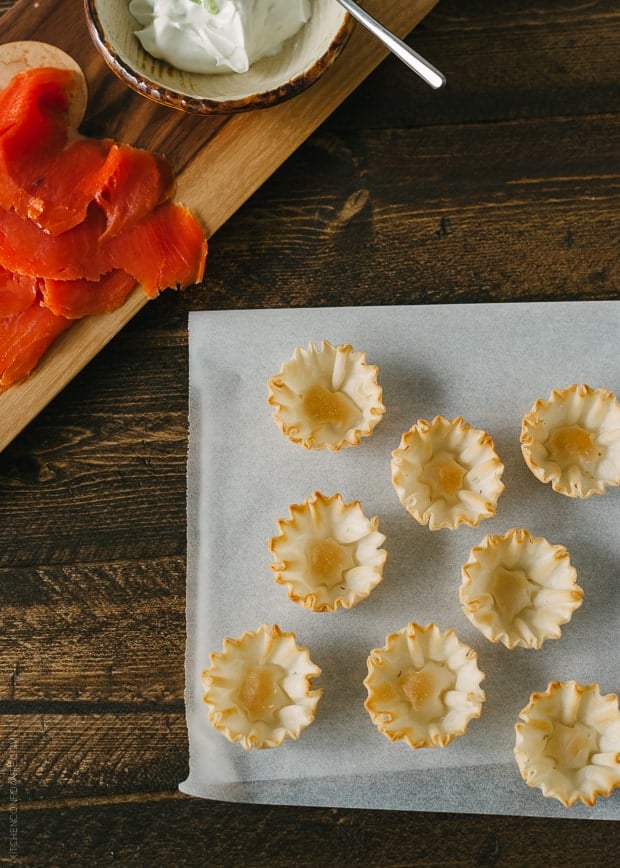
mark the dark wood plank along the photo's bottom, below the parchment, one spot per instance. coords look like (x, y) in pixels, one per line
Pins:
(180, 831)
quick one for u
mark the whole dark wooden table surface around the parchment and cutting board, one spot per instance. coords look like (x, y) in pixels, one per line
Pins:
(503, 186)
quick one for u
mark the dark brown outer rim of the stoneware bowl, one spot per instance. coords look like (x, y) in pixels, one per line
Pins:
(159, 93)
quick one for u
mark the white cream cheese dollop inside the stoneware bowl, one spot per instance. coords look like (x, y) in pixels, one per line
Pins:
(217, 36)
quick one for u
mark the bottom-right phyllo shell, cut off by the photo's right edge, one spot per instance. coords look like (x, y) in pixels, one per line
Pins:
(568, 742)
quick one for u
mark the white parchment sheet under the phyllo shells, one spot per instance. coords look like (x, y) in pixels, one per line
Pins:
(486, 362)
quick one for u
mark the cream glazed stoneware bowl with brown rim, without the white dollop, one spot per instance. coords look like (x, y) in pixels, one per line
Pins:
(300, 62)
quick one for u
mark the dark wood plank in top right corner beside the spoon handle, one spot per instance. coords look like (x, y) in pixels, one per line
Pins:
(503, 61)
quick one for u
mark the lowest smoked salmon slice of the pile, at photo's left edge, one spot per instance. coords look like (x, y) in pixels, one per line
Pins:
(23, 340)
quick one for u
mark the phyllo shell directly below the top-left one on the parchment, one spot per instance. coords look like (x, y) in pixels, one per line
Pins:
(328, 553)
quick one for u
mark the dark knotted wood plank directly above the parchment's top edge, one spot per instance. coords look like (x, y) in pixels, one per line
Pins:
(455, 214)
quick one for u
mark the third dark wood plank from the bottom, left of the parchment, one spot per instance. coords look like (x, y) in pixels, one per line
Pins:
(94, 634)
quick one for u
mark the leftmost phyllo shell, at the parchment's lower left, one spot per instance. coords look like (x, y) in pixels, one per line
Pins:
(258, 688)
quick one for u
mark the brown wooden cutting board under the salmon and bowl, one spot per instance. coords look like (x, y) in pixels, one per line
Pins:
(219, 161)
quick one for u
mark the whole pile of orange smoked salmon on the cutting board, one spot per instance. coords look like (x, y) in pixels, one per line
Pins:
(82, 221)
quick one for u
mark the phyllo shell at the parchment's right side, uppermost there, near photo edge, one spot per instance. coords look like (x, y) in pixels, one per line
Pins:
(572, 440)
